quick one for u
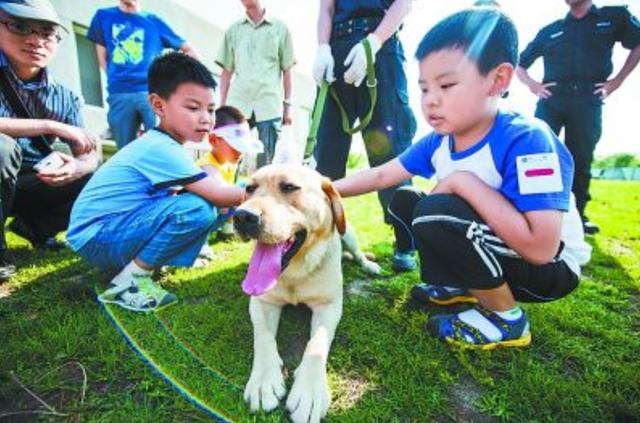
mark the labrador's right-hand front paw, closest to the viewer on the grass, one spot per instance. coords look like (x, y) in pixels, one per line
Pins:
(309, 397)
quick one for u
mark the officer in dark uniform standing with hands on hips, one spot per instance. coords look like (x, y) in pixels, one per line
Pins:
(577, 64)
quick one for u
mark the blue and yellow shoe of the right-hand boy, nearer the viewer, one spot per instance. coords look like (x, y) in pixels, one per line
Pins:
(453, 330)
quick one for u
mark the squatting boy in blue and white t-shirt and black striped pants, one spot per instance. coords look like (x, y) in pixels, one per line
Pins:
(501, 225)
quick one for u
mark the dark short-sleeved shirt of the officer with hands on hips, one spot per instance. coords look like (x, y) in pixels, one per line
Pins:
(580, 50)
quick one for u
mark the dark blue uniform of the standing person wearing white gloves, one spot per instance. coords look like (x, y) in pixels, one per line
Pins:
(393, 125)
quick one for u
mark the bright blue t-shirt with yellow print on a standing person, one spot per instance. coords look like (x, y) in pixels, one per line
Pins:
(132, 41)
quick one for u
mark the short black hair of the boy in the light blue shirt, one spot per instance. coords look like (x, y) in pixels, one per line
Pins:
(170, 70)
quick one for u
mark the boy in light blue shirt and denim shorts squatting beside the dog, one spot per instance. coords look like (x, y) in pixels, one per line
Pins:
(130, 217)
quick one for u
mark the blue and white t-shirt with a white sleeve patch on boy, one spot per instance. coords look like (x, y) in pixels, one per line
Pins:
(513, 141)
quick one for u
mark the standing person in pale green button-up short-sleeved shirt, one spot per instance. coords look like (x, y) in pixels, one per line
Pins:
(258, 52)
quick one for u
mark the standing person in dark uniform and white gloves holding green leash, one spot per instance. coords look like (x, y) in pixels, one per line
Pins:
(342, 26)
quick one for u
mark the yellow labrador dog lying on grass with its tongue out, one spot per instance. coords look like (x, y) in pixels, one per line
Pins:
(297, 219)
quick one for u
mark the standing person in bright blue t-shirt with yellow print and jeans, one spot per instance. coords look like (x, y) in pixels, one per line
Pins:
(127, 40)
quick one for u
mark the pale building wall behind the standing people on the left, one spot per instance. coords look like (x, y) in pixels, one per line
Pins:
(205, 36)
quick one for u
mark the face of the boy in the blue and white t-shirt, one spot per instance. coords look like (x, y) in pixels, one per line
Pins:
(455, 96)
